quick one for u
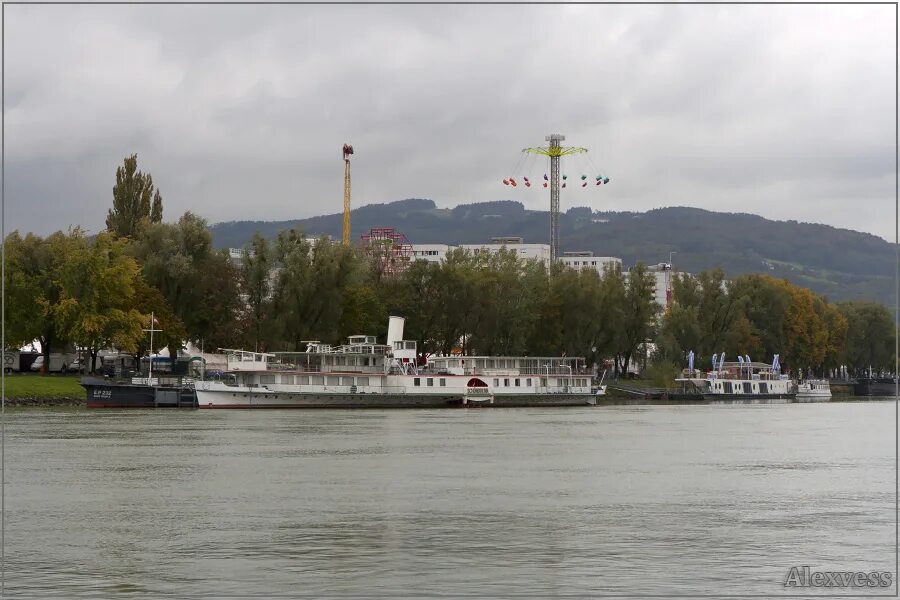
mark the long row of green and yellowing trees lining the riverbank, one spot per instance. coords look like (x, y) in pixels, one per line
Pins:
(69, 289)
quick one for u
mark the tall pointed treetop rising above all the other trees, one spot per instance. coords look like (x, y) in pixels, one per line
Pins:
(135, 202)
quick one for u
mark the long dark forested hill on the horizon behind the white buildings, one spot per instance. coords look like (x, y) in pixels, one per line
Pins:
(839, 263)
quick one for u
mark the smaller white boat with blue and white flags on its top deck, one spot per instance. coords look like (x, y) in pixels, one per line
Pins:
(743, 380)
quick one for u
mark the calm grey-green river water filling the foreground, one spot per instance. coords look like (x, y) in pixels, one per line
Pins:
(662, 500)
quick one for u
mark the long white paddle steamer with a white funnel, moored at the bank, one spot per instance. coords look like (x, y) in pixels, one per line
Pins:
(363, 373)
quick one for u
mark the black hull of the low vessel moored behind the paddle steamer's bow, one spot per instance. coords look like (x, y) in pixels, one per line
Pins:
(109, 394)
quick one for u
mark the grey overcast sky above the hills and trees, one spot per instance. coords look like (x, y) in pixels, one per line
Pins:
(240, 112)
